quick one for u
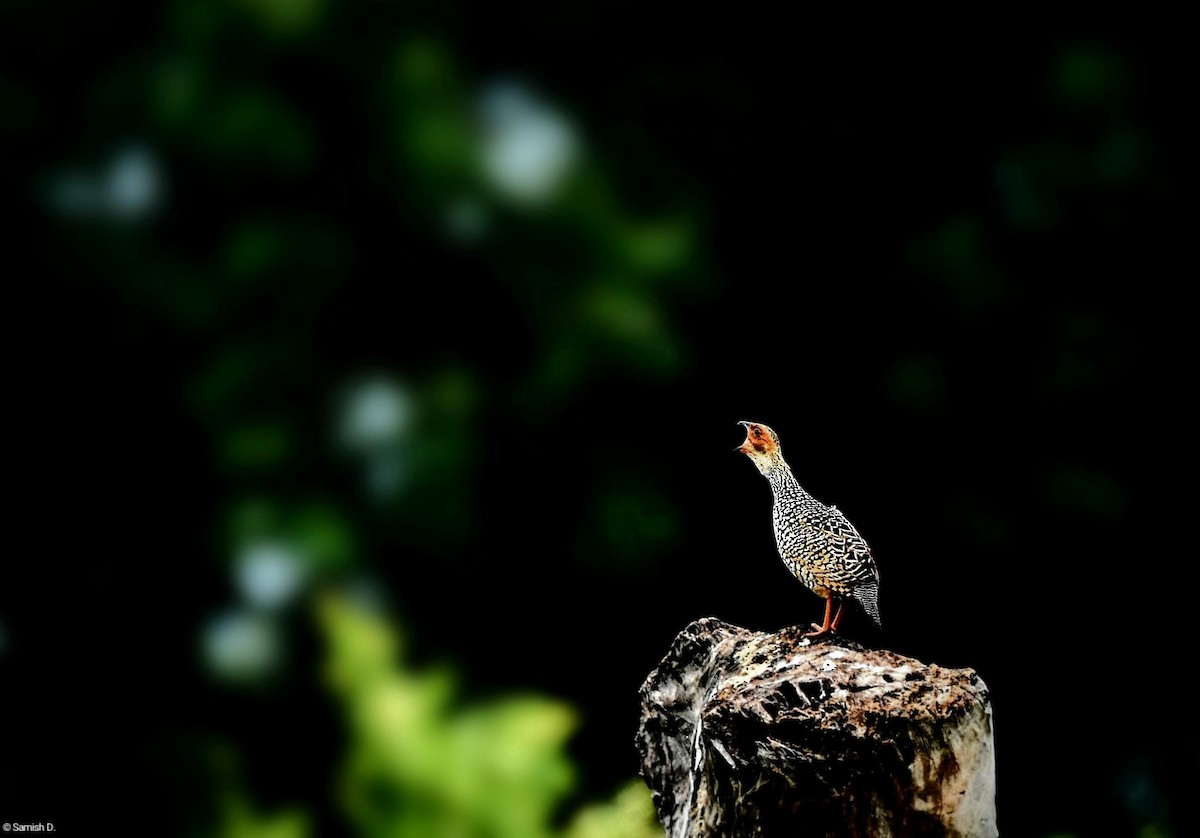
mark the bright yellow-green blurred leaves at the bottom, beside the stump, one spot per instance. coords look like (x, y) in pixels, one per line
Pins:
(421, 764)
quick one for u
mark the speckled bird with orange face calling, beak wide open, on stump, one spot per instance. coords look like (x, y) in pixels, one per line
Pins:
(818, 543)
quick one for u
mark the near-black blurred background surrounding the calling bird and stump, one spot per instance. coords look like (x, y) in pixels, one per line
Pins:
(943, 259)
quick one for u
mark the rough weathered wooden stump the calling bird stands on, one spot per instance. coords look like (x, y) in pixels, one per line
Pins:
(753, 734)
